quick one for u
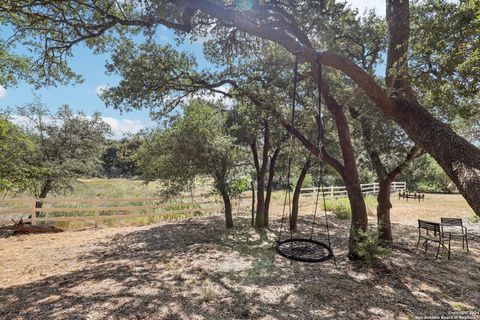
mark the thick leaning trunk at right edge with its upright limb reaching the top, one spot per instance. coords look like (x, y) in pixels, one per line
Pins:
(458, 158)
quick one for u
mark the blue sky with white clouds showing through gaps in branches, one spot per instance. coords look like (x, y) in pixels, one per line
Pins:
(84, 96)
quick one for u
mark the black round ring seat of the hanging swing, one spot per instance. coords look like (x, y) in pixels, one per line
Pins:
(304, 250)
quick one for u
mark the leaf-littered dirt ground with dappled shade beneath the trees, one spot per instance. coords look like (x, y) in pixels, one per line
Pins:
(195, 269)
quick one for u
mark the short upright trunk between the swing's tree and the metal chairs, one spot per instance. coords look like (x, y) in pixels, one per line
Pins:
(383, 211)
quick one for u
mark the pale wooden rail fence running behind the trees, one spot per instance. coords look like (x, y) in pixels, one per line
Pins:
(96, 210)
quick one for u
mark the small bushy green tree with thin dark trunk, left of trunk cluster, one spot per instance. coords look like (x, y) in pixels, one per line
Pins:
(197, 144)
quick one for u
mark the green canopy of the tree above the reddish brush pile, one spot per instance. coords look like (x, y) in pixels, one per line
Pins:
(69, 146)
